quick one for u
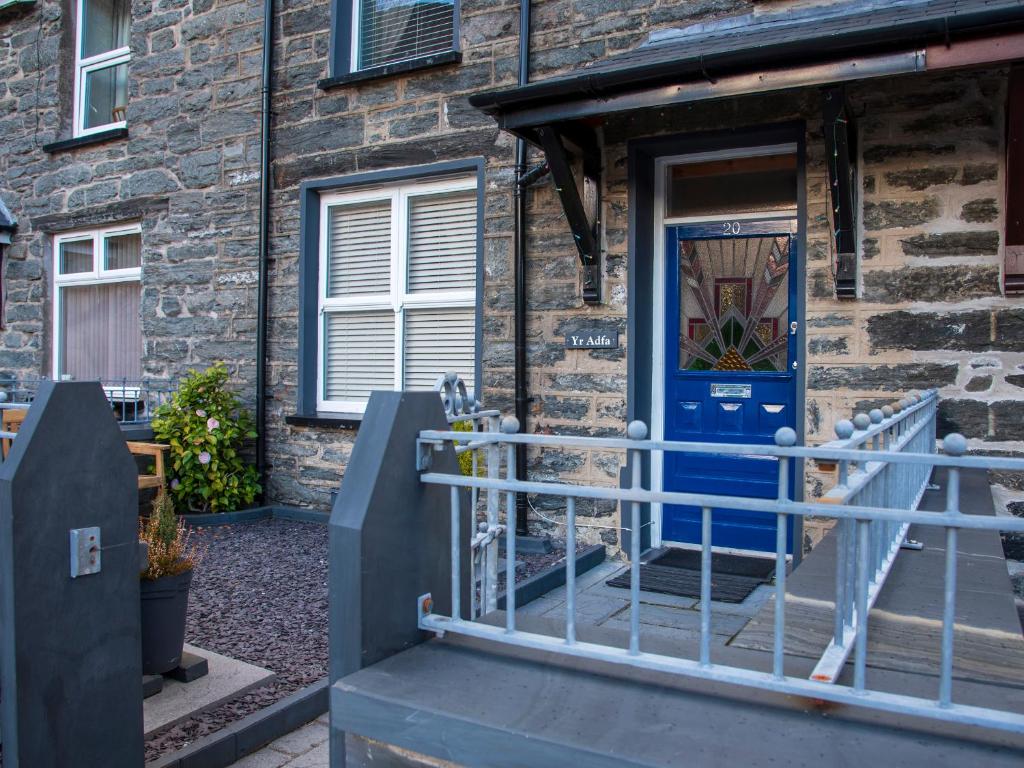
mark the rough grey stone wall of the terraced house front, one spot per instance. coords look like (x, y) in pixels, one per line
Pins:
(931, 311)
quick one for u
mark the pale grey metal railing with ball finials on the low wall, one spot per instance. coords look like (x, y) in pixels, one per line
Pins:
(884, 468)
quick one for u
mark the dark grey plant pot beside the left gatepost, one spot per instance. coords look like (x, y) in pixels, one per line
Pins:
(165, 604)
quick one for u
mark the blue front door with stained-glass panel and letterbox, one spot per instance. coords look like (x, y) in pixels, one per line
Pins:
(731, 355)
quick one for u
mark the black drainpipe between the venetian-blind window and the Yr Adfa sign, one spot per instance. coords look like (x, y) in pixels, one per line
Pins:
(520, 248)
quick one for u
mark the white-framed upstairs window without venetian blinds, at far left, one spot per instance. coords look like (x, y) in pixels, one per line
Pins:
(102, 57)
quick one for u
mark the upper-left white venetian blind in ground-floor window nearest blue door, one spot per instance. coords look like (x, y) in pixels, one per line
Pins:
(359, 249)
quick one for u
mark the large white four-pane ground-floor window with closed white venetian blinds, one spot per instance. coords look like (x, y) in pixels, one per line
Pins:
(398, 301)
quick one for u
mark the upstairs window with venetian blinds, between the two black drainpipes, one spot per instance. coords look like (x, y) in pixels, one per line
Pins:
(393, 31)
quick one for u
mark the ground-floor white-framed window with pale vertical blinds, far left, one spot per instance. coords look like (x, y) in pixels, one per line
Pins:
(98, 333)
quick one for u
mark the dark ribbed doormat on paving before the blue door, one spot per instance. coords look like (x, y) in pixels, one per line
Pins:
(678, 573)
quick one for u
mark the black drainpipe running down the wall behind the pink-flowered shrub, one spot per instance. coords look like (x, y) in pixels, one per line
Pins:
(265, 246)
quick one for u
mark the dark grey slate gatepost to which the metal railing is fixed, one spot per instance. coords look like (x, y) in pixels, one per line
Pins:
(390, 540)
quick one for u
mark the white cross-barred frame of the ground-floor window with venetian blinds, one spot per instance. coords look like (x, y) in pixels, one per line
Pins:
(398, 300)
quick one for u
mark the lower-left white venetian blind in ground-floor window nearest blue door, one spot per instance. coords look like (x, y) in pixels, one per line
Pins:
(359, 355)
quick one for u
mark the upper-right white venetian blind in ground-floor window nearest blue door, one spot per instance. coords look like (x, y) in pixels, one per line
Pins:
(443, 242)
